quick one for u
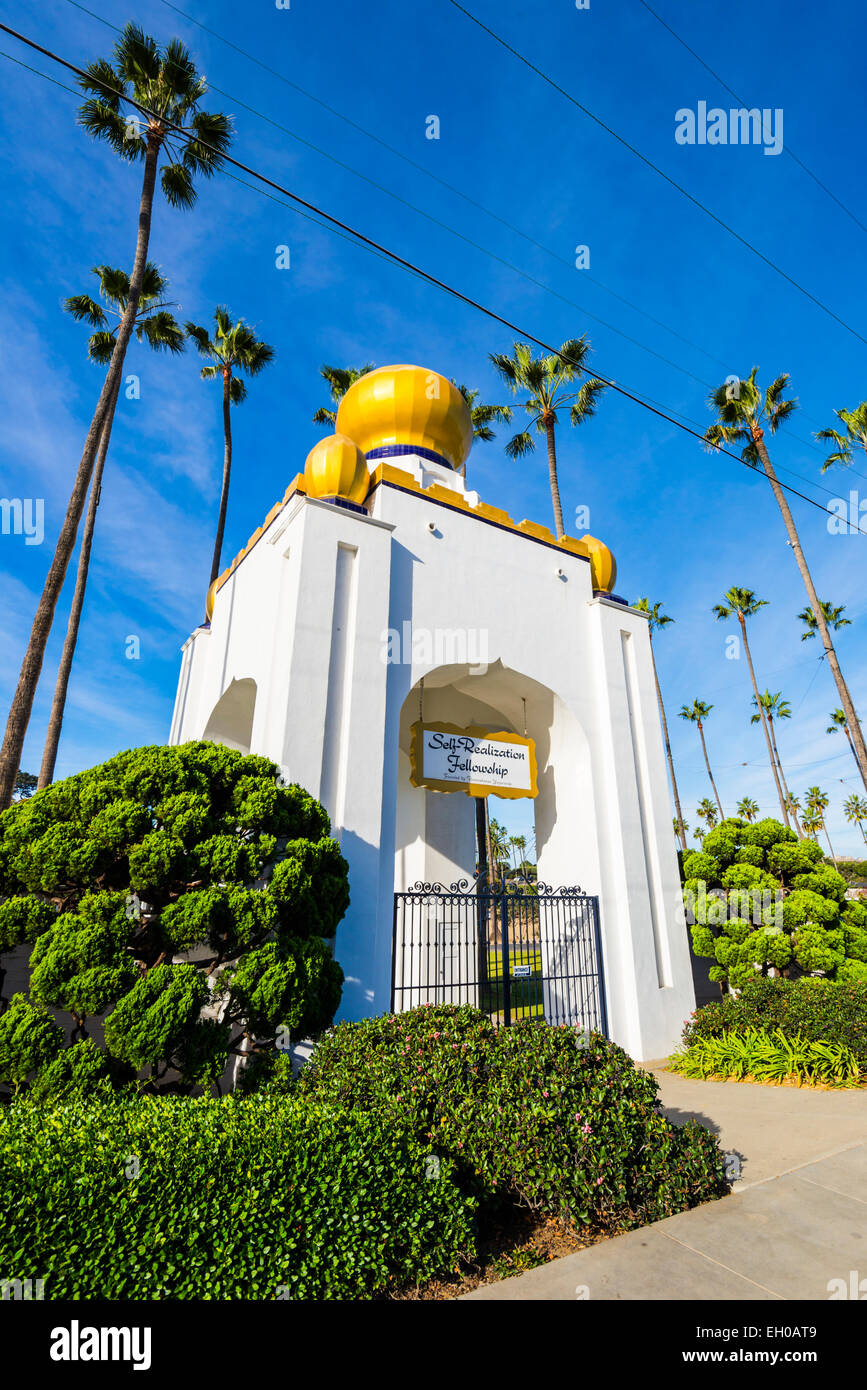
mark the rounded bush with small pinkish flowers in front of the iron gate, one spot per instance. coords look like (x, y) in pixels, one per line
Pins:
(552, 1118)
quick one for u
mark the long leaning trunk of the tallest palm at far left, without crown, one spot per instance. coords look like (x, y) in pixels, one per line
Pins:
(31, 668)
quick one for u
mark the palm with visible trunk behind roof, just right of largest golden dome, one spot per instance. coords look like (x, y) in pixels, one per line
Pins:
(550, 384)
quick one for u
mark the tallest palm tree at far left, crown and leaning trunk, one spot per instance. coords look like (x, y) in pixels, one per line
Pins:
(169, 91)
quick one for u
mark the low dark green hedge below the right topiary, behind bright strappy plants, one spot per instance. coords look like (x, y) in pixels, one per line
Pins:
(820, 1011)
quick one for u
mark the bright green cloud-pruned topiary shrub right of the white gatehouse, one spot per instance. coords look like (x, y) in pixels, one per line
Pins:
(762, 901)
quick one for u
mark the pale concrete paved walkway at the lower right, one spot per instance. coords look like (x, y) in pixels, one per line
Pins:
(795, 1221)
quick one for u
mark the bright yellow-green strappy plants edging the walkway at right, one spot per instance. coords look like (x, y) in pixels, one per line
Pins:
(769, 1056)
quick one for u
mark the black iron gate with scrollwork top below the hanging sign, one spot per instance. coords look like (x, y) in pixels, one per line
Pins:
(515, 951)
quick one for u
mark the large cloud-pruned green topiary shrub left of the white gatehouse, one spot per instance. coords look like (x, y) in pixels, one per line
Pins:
(179, 894)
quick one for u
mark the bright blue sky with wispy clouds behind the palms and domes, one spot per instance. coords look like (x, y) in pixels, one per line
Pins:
(683, 525)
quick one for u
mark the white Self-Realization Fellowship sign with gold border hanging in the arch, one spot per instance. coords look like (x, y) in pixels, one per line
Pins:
(474, 761)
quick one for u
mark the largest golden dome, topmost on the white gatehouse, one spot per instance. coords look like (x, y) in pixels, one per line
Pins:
(405, 409)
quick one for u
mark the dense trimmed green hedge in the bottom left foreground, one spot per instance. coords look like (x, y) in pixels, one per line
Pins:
(255, 1197)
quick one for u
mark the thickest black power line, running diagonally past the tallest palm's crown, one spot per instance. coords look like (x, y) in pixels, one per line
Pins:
(399, 261)
